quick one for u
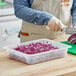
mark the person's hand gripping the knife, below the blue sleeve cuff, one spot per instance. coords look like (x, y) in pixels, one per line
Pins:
(55, 25)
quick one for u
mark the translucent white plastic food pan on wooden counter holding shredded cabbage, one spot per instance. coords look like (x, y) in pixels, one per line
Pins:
(59, 51)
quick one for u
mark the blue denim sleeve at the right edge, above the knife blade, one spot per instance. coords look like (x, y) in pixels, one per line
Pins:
(73, 12)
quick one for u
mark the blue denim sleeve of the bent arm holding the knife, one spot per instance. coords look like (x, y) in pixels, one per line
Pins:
(25, 12)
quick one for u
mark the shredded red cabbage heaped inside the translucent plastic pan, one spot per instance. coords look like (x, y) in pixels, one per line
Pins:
(37, 47)
